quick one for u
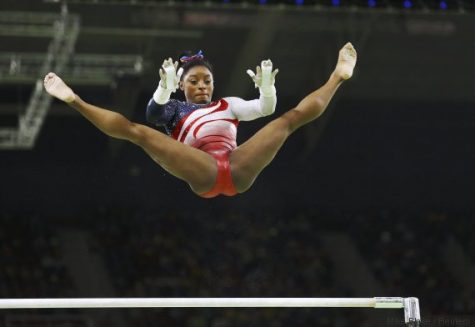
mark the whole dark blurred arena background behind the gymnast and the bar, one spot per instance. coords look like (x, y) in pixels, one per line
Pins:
(375, 198)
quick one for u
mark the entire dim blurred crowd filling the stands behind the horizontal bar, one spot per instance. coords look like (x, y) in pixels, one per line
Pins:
(241, 255)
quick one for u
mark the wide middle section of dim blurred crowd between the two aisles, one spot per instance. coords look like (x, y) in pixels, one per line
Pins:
(204, 255)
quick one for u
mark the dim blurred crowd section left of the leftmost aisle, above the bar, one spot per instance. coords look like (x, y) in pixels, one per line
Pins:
(31, 262)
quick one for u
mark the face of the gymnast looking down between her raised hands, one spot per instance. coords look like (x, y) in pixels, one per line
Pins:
(198, 85)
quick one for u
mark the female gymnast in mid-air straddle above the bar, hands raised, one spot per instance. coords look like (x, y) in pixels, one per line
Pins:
(202, 149)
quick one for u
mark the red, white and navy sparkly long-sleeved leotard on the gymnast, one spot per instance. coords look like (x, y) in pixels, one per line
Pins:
(211, 128)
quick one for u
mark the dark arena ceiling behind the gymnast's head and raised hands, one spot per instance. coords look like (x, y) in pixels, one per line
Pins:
(402, 55)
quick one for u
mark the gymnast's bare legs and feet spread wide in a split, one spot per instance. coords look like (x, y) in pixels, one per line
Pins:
(196, 167)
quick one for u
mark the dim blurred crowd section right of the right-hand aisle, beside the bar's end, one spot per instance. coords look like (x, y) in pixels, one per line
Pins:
(406, 252)
